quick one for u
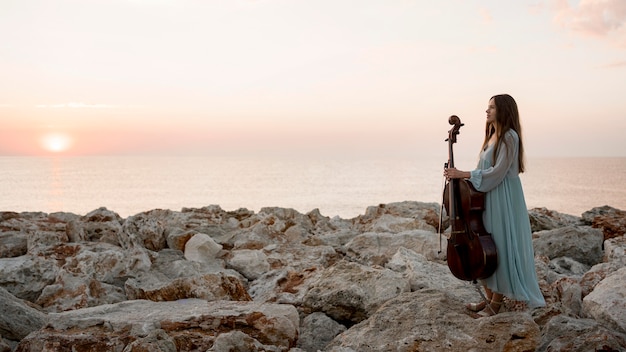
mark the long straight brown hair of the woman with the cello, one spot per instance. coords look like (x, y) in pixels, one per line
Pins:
(507, 118)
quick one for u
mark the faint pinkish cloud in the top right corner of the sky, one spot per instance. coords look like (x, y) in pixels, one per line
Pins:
(604, 19)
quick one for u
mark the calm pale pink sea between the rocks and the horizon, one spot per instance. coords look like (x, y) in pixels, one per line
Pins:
(343, 187)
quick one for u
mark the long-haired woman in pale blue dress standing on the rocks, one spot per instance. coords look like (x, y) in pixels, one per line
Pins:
(505, 215)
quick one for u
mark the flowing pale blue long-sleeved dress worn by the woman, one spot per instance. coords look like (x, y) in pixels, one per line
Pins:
(506, 218)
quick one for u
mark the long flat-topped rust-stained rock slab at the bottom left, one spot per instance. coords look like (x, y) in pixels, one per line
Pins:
(191, 324)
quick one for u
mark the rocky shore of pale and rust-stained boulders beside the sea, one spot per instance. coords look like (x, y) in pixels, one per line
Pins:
(205, 279)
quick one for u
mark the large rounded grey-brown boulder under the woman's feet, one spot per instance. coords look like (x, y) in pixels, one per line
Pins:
(432, 320)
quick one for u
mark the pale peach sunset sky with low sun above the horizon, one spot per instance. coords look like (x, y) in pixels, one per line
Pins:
(166, 77)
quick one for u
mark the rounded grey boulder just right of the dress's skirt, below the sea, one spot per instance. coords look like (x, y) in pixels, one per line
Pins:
(583, 244)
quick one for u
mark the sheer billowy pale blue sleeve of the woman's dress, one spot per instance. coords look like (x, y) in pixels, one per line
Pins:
(484, 180)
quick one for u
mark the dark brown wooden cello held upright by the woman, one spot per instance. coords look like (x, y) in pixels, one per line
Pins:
(471, 251)
